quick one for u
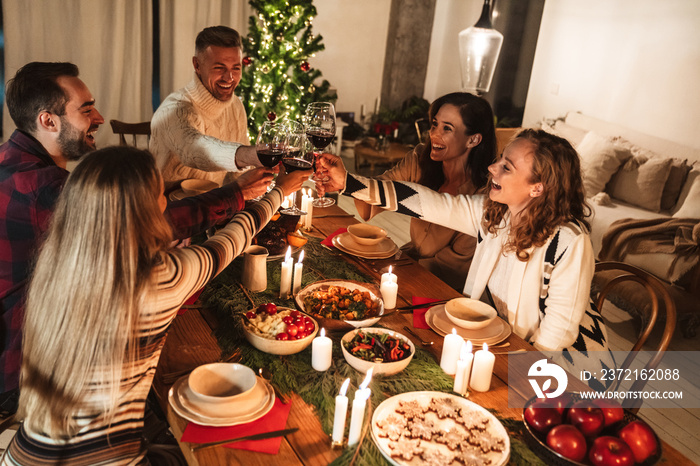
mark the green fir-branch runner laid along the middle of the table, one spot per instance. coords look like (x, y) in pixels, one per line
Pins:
(226, 299)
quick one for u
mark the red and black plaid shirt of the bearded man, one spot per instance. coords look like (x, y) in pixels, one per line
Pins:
(29, 184)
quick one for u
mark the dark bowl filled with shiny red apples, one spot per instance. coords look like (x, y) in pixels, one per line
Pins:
(568, 430)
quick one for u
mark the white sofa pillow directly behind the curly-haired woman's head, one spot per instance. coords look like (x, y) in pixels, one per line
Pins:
(600, 160)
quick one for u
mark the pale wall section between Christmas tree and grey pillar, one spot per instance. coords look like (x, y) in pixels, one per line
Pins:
(354, 33)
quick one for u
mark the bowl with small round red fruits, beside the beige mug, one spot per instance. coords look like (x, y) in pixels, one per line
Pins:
(278, 330)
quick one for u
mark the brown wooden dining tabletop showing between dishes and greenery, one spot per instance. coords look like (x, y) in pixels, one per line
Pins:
(191, 342)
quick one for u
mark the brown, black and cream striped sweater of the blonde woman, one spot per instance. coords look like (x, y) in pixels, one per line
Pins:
(181, 273)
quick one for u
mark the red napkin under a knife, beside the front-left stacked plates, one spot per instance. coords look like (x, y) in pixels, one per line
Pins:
(276, 419)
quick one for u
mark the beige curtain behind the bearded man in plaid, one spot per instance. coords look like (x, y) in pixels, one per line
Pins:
(110, 41)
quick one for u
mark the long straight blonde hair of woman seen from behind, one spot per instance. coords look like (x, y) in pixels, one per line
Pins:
(92, 277)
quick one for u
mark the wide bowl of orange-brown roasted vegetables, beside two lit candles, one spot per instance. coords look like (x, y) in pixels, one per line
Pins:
(355, 303)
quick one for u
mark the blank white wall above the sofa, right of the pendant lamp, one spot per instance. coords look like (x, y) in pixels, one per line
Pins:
(631, 62)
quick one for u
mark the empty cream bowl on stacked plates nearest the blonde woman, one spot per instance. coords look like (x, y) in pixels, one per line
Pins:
(221, 382)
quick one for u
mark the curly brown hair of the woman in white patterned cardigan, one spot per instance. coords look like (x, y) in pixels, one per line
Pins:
(557, 166)
